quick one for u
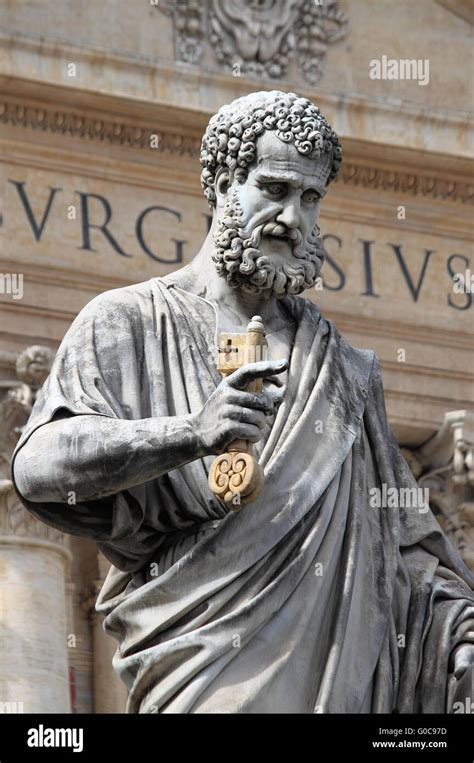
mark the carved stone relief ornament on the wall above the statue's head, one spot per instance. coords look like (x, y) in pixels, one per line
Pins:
(257, 37)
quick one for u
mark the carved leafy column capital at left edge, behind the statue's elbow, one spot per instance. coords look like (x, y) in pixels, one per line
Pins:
(32, 368)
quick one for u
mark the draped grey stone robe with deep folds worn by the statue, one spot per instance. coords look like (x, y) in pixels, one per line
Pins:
(307, 600)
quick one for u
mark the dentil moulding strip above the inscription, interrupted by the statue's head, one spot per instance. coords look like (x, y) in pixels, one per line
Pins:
(438, 183)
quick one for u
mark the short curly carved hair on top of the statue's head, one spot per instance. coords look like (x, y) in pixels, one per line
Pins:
(231, 136)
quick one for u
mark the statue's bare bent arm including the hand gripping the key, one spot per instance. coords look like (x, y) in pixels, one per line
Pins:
(96, 456)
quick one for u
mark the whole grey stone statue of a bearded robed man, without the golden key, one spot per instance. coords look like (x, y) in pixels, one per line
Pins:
(332, 588)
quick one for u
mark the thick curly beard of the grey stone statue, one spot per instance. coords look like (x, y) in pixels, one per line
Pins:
(239, 260)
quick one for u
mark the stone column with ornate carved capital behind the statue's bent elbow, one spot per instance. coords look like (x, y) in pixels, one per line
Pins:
(34, 563)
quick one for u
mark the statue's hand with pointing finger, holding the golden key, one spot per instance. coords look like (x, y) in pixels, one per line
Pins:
(231, 413)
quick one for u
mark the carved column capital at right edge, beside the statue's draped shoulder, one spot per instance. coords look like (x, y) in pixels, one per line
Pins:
(445, 465)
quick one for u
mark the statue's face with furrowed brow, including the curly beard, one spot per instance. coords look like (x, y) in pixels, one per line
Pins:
(266, 241)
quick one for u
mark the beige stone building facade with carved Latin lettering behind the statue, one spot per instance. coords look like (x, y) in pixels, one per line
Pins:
(102, 108)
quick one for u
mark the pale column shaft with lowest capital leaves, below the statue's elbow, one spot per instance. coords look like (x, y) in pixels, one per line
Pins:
(33, 572)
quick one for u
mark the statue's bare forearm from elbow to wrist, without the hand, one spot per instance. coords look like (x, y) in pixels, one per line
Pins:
(94, 456)
